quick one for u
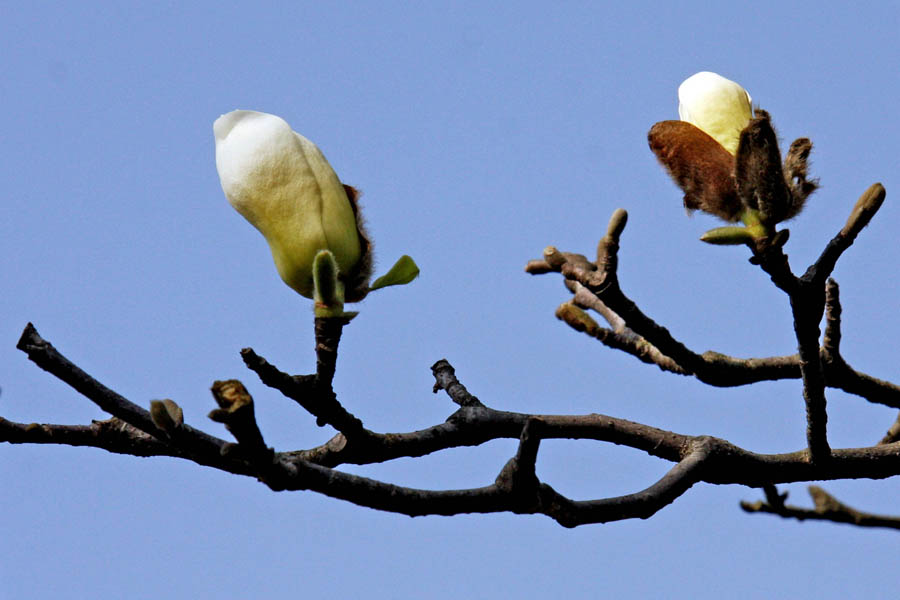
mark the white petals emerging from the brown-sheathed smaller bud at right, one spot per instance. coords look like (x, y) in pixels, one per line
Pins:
(718, 106)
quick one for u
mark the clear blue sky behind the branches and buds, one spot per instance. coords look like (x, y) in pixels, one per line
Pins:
(479, 133)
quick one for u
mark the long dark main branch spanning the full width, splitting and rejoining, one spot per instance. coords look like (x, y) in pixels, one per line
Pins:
(516, 489)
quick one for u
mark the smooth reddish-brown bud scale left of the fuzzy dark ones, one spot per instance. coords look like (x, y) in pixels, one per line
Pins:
(700, 166)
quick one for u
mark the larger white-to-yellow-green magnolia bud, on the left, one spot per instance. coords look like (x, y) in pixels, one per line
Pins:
(280, 182)
